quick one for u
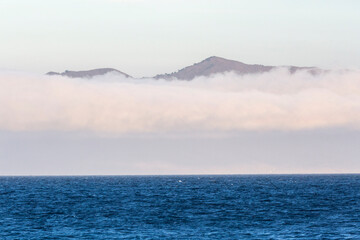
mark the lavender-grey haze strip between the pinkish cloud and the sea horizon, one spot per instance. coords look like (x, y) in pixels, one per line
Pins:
(54, 153)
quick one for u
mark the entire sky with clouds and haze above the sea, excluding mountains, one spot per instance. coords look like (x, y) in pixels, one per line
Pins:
(268, 123)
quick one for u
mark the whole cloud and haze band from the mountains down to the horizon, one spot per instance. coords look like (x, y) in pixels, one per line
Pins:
(270, 122)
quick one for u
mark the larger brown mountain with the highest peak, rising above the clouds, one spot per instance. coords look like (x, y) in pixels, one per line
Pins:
(213, 65)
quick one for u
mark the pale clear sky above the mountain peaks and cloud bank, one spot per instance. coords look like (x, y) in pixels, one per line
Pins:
(148, 37)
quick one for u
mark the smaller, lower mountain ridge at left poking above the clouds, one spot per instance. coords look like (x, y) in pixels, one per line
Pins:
(88, 73)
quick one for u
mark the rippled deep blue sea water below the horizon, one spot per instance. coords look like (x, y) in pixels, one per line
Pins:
(181, 207)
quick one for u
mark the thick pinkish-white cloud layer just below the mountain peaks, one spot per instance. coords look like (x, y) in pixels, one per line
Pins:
(225, 102)
